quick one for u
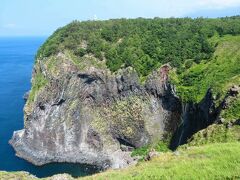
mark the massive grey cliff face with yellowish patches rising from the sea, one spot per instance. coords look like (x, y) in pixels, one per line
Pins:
(80, 112)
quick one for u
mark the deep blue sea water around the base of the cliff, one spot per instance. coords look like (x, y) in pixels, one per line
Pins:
(16, 62)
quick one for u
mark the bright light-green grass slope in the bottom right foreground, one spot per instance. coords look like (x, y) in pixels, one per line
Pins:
(214, 161)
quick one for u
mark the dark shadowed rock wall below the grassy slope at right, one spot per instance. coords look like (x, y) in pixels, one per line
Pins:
(198, 116)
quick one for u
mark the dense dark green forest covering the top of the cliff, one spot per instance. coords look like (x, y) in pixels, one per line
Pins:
(144, 44)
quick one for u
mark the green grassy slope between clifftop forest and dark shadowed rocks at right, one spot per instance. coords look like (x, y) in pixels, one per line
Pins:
(220, 73)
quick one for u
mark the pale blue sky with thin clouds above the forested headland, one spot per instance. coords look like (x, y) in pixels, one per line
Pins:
(42, 17)
